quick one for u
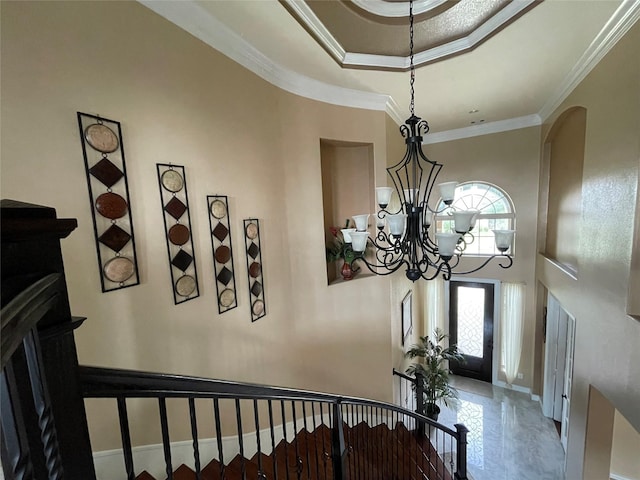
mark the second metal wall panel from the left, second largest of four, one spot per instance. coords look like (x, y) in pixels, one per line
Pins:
(177, 224)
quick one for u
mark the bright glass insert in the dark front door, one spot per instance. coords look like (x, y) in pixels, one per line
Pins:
(471, 321)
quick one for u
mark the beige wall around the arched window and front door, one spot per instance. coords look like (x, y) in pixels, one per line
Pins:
(511, 161)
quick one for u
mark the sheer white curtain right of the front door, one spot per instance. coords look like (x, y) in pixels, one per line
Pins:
(512, 318)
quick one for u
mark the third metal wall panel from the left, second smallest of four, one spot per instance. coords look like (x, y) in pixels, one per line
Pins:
(218, 207)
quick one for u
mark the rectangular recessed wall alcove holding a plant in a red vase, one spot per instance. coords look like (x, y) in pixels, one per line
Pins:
(348, 188)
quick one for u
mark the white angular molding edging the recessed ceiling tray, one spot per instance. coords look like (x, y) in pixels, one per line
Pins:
(394, 62)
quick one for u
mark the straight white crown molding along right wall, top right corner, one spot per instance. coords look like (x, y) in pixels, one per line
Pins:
(618, 25)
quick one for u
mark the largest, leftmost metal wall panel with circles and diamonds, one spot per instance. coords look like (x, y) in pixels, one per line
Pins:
(104, 162)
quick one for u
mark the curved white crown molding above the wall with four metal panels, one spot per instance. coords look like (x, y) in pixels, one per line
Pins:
(201, 24)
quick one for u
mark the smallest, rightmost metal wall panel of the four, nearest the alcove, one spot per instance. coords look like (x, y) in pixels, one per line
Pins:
(254, 268)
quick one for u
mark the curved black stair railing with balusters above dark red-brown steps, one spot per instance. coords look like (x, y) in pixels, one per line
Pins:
(279, 433)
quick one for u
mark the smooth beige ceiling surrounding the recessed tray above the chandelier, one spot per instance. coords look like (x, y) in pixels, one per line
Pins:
(514, 73)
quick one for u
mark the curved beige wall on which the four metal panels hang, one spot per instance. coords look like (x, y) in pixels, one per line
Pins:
(180, 101)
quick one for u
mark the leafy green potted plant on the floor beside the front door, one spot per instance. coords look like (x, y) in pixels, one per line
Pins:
(432, 371)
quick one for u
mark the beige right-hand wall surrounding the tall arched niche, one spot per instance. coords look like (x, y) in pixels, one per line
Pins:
(606, 349)
